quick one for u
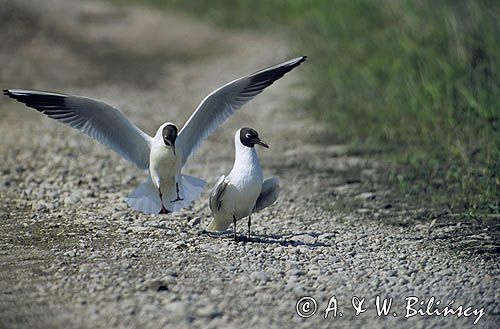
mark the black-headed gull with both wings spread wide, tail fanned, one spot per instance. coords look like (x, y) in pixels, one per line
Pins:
(166, 189)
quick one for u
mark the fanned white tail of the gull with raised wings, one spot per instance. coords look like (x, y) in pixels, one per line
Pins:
(145, 197)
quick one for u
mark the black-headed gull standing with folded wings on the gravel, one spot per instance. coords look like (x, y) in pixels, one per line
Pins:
(244, 191)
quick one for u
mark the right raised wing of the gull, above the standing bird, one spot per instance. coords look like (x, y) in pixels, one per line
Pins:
(226, 100)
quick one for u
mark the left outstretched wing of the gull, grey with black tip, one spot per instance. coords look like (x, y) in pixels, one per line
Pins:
(96, 119)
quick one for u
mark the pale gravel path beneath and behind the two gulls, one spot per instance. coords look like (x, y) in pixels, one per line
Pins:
(73, 255)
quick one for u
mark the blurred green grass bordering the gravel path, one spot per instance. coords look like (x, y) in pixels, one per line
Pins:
(415, 83)
